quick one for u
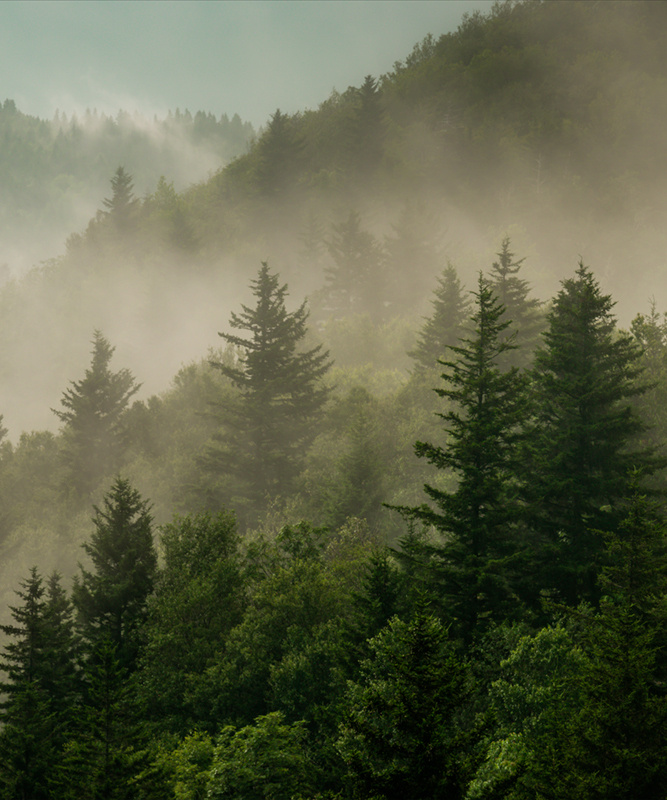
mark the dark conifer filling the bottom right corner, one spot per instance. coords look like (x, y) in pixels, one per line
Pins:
(616, 747)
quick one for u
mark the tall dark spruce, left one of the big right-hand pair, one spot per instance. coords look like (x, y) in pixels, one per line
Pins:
(477, 562)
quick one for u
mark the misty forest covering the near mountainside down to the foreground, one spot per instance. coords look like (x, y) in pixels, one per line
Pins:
(340, 472)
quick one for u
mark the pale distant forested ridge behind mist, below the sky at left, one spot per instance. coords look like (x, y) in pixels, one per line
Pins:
(54, 172)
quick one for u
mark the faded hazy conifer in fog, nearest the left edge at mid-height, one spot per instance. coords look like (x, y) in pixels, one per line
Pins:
(92, 414)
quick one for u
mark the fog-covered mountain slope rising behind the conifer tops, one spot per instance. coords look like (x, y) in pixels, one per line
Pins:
(539, 119)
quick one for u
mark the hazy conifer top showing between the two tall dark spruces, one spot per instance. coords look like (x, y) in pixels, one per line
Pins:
(524, 312)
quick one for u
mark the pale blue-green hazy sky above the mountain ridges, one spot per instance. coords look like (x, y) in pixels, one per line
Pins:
(247, 57)
